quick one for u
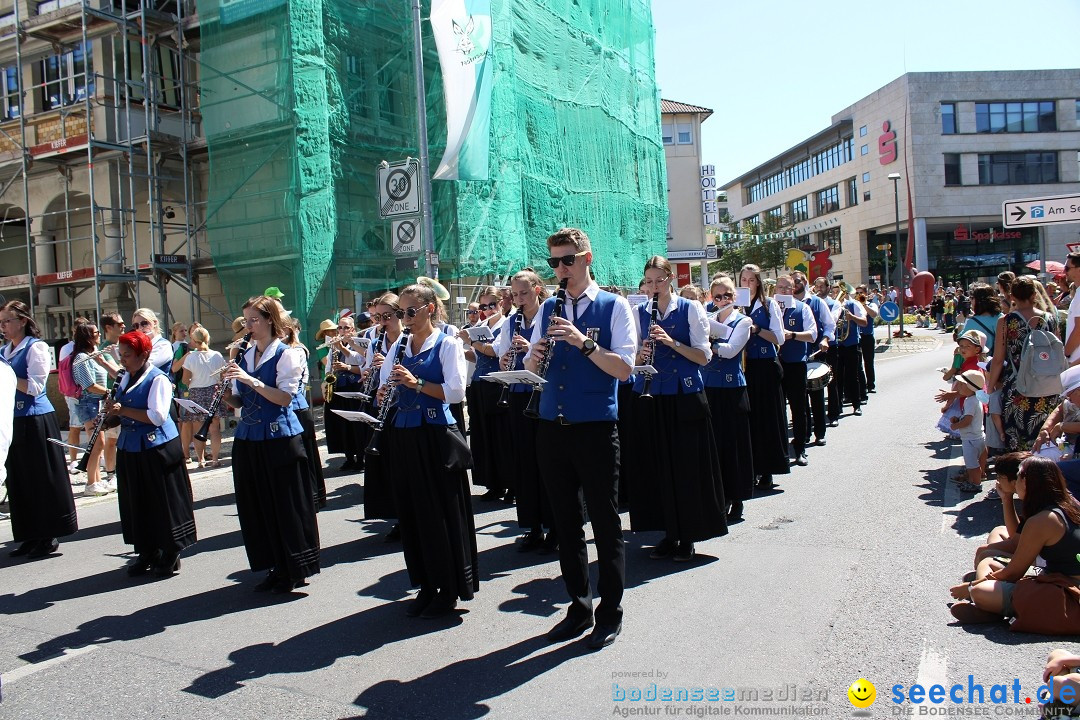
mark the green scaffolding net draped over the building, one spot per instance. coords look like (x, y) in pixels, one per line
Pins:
(302, 100)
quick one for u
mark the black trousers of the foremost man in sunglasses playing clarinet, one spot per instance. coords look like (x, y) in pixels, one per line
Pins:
(582, 463)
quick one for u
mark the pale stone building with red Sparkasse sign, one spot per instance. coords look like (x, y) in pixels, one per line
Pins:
(963, 144)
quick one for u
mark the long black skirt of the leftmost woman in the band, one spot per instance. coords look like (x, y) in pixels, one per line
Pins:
(39, 490)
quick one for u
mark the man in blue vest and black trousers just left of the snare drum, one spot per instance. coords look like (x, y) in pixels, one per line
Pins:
(800, 332)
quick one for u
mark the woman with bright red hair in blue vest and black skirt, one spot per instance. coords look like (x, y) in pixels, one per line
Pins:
(156, 506)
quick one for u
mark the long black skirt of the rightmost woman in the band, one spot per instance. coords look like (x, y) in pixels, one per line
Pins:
(768, 417)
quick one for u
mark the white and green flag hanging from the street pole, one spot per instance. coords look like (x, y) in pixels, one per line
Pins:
(463, 31)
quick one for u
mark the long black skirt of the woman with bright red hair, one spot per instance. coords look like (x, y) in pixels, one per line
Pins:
(156, 505)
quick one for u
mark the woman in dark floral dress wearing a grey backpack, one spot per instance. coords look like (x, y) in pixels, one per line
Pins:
(1023, 415)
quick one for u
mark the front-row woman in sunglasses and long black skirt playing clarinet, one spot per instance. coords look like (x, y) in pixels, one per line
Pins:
(430, 458)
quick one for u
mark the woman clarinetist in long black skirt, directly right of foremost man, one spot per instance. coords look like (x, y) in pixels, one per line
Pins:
(678, 486)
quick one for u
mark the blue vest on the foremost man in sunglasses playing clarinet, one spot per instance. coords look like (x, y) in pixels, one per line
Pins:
(576, 388)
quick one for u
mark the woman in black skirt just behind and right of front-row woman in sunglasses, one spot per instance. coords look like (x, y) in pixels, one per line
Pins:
(484, 415)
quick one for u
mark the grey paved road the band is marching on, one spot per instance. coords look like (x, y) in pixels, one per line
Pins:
(841, 576)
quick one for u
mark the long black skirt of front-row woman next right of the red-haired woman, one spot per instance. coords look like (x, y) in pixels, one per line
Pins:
(276, 506)
